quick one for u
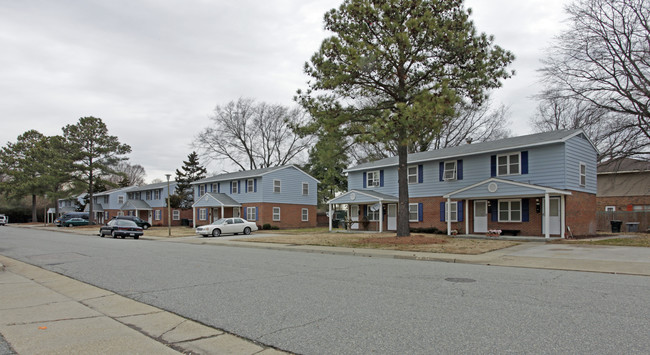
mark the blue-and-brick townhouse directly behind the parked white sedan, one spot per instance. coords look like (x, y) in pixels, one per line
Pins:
(282, 196)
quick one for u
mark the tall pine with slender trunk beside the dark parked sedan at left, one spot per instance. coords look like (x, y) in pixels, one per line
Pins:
(96, 152)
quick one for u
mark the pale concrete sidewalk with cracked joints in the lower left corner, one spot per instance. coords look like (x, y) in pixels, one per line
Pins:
(42, 312)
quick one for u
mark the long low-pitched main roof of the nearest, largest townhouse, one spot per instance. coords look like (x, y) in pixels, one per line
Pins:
(520, 142)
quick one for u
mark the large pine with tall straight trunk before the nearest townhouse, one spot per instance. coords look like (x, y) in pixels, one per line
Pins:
(394, 69)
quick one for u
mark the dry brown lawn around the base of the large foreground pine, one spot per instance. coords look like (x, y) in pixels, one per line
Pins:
(431, 243)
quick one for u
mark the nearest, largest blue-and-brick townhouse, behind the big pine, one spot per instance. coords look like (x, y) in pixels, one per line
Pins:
(536, 185)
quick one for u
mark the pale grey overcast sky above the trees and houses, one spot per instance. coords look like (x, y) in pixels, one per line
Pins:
(153, 70)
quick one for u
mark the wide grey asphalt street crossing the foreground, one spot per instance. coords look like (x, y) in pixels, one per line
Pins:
(334, 304)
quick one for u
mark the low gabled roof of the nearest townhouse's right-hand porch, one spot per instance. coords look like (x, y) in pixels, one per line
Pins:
(494, 188)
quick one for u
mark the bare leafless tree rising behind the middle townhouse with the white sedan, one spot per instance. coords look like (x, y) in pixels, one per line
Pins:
(253, 135)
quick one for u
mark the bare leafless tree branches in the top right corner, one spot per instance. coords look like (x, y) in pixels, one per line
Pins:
(604, 59)
